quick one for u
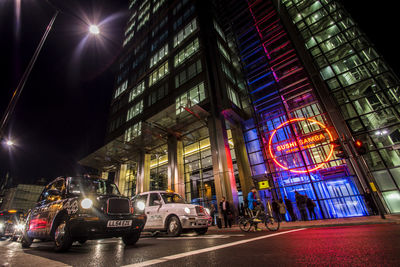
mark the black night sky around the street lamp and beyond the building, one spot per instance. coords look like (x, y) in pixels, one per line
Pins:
(62, 113)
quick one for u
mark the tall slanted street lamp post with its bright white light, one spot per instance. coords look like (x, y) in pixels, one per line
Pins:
(93, 29)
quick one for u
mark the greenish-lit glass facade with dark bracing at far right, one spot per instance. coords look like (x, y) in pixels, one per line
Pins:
(363, 86)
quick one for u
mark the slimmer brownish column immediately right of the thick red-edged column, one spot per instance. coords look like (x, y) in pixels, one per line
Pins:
(242, 160)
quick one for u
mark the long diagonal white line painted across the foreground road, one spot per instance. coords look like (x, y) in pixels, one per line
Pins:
(199, 251)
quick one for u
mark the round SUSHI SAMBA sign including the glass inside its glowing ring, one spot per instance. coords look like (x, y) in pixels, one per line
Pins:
(290, 154)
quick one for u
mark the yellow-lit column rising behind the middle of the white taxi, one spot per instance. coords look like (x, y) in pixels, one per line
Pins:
(176, 178)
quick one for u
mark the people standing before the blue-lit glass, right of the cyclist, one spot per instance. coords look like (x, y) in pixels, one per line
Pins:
(303, 203)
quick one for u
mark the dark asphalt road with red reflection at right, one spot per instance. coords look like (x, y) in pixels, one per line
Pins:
(361, 245)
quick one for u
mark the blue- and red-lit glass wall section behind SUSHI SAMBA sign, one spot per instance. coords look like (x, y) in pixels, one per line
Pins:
(291, 133)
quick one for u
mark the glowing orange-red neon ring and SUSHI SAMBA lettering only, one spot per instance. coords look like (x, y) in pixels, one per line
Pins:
(305, 143)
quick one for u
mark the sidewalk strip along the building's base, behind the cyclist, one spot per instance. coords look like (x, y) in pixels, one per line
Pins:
(326, 223)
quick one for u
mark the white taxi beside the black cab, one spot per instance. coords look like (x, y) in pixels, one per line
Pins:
(168, 212)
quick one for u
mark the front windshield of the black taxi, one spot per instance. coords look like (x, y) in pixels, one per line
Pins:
(78, 185)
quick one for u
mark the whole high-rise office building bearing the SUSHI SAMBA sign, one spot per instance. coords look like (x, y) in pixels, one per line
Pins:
(213, 96)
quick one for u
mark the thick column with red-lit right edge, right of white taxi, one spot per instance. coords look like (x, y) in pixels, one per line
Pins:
(224, 177)
